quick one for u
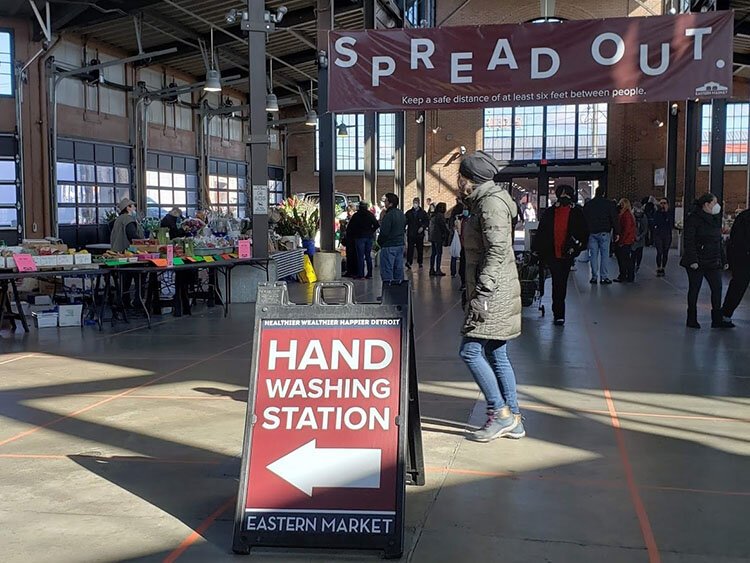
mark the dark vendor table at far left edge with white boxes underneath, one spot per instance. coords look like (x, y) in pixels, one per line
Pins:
(9, 289)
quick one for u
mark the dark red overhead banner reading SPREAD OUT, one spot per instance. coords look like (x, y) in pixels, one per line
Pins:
(615, 60)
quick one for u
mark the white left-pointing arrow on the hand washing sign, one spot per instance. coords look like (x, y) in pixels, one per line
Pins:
(348, 468)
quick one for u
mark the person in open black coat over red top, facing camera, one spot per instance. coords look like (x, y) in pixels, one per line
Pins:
(562, 234)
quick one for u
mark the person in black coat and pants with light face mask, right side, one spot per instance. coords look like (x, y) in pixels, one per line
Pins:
(703, 257)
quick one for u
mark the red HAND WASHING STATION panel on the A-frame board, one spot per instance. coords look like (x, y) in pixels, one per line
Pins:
(324, 442)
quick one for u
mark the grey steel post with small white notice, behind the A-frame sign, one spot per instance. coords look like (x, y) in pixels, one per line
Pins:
(258, 140)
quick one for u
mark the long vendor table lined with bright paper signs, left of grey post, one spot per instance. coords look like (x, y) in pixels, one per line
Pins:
(142, 269)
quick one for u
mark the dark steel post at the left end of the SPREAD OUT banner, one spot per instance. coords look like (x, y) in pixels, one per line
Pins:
(325, 126)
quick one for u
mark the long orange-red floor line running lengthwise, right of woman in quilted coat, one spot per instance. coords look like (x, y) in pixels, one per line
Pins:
(635, 495)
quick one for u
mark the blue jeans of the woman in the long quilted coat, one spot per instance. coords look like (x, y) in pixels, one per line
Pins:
(489, 364)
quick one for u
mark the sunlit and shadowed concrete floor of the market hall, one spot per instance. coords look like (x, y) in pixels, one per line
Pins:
(124, 445)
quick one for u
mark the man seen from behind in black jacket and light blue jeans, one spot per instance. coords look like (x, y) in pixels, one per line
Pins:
(601, 218)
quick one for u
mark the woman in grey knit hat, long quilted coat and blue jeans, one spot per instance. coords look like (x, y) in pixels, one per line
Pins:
(493, 313)
